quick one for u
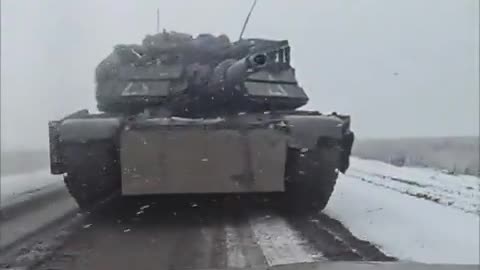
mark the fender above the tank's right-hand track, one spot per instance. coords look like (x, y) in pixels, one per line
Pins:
(305, 130)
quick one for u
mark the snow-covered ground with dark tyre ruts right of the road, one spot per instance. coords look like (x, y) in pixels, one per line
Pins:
(379, 203)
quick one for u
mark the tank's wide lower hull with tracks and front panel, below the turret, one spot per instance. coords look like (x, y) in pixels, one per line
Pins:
(298, 154)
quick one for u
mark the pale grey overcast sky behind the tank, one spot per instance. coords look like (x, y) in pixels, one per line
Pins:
(399, 67)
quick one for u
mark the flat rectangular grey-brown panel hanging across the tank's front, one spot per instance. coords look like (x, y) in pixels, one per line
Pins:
(159, 160)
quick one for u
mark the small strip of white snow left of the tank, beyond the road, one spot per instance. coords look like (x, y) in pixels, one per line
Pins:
(14, 187)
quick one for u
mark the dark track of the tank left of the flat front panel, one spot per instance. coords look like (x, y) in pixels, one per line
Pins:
(93, 172)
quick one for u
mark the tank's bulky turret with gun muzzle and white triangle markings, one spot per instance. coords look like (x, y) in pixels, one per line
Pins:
(204, 73)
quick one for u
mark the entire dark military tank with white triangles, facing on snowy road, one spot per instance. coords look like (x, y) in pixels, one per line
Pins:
(183, 115)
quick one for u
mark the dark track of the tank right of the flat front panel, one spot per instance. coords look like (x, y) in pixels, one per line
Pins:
(311, 175)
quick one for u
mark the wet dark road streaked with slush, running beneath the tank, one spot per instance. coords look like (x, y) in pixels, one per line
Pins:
(183, 232)
